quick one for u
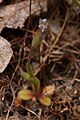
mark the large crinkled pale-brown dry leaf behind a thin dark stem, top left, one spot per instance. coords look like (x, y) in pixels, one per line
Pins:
(13, 16)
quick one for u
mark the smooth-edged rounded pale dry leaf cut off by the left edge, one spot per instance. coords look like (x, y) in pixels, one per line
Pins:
(5, 53)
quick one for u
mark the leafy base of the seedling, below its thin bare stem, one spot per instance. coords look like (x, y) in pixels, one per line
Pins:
(42, 95)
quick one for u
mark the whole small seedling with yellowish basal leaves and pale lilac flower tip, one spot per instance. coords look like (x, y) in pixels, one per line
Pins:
(42, 95)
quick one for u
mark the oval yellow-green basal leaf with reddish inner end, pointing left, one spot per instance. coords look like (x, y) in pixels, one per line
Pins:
(25, 94)
